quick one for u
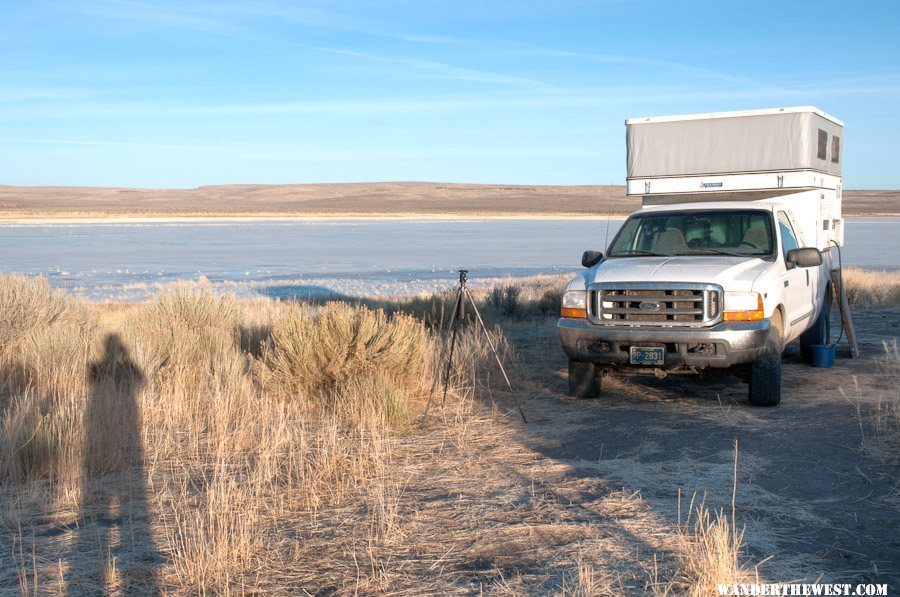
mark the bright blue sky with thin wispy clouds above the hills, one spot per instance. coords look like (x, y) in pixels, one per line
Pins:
(165, 93)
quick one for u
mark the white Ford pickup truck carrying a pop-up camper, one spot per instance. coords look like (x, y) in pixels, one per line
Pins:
(728, 260)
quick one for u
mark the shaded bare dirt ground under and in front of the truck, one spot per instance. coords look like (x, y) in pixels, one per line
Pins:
(813, 502)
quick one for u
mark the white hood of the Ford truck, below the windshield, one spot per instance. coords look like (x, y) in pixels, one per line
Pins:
(732, 273)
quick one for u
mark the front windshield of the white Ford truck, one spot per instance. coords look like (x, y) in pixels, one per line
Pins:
(702, 232)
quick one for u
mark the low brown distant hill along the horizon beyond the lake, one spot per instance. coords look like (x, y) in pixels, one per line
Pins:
(360, 199)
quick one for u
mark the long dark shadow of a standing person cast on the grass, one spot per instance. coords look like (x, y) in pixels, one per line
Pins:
(114, 549)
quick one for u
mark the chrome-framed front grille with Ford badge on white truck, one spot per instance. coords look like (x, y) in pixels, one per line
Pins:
(669, 305)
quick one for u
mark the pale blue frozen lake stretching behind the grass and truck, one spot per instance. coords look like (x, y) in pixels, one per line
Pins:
(347, 257)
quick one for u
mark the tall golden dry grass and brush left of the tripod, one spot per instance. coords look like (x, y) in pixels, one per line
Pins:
(231, 416)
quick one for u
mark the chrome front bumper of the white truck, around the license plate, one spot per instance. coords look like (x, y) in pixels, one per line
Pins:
(722, 345)
